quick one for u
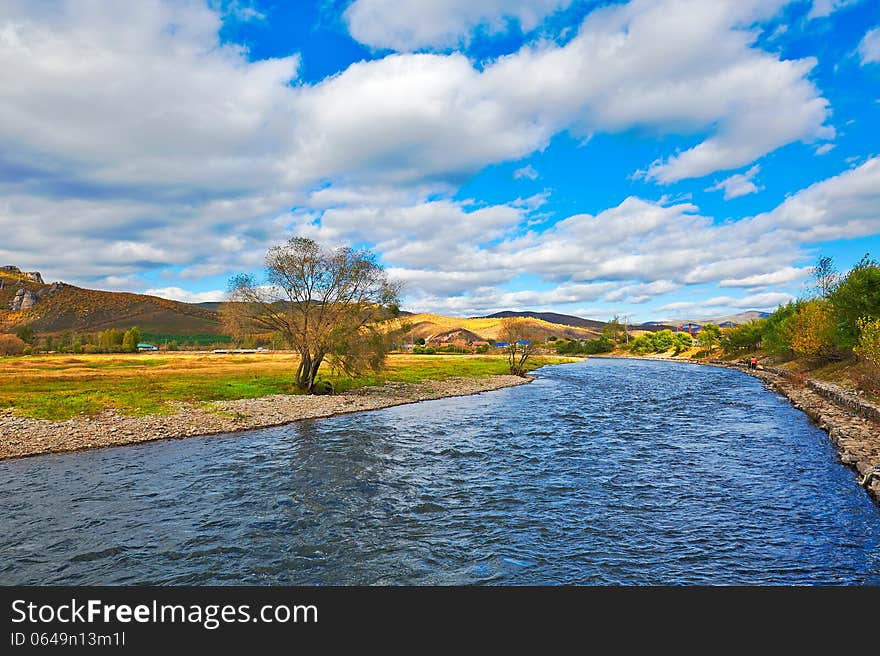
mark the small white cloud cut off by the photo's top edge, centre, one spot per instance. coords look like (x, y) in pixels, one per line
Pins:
(406, 25)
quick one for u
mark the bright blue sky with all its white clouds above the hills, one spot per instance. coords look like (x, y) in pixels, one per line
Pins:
(659, 159)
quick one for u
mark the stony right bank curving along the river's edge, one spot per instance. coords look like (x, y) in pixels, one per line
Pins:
(852, 423)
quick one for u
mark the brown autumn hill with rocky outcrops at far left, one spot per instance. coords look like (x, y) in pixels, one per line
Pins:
(25, 300)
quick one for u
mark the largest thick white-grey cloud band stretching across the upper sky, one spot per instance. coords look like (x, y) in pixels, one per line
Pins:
(149, 98)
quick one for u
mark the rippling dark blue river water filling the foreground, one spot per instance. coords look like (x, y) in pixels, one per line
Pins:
(600, 472)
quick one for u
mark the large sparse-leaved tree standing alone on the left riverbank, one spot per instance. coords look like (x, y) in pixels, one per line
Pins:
(332, 304)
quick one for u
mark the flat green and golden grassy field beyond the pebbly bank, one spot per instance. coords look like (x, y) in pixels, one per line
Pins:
(58, 387)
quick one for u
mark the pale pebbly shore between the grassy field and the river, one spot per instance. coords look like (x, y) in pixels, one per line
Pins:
(23, 436)
